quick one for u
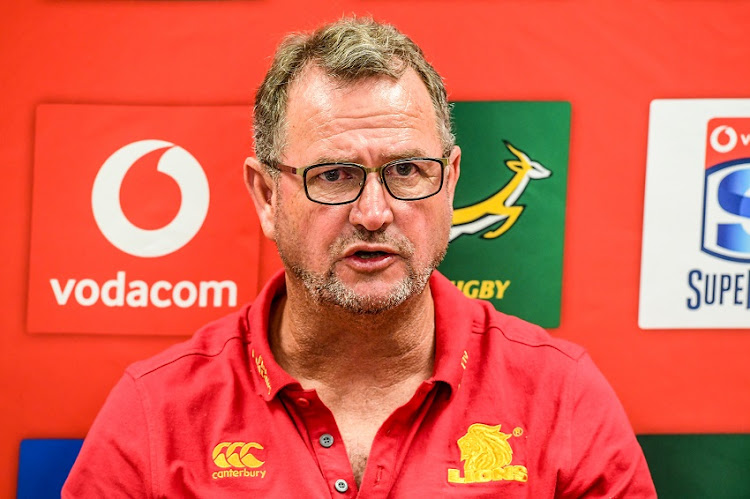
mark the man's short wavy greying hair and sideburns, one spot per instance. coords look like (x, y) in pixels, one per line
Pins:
(351, 49)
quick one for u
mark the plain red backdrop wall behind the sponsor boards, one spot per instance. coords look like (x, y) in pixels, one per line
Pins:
(609, 59)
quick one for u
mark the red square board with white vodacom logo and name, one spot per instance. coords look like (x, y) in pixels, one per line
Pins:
(140, 223)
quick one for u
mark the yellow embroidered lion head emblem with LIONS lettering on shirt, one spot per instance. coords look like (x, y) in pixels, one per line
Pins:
(487, 455)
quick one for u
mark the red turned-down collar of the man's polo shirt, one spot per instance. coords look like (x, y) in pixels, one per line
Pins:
(453, 324)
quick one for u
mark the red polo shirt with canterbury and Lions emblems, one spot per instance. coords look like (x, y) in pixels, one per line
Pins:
(509, 412)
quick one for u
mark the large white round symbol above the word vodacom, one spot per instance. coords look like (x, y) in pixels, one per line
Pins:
(114, 225)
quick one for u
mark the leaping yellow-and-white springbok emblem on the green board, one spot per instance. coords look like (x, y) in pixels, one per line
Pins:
(501, 205)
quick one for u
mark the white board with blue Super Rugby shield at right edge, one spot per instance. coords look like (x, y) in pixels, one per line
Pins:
(695, 266)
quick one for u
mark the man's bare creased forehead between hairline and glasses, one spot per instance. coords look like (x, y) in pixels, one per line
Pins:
(372, 120)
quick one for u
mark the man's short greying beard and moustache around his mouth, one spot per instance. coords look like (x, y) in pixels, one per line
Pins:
(329, 290)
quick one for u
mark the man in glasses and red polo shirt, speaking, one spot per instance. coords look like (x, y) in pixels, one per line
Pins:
(360, 370)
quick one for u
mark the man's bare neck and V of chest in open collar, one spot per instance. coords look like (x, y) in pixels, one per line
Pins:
(362, 367)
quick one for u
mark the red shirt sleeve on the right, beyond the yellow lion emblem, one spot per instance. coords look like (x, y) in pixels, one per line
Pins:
(606, 460)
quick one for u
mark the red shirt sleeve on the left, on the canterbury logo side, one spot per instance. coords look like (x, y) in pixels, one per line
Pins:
(114, 460)
